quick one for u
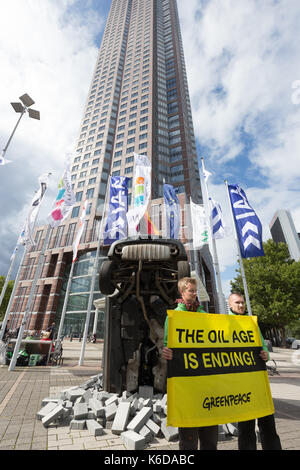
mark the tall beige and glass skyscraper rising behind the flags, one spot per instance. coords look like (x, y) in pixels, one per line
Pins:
(138, 102)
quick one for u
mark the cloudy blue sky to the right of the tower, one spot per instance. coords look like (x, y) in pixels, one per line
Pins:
(242, 59)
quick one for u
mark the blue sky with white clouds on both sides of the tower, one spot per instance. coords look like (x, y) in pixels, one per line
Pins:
(242, 61)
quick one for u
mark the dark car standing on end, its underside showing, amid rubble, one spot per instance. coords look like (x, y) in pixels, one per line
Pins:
(140, 279)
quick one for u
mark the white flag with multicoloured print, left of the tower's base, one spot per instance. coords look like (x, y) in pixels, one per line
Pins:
(65, 199)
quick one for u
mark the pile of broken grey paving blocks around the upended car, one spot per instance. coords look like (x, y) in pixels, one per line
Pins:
(137, 417)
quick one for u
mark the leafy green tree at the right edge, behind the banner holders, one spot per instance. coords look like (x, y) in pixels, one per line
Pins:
(273, 283)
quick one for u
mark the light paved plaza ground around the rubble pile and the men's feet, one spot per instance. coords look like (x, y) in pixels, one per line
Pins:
(22, 390)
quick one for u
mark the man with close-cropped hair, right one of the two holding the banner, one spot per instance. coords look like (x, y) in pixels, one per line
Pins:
(247, 437)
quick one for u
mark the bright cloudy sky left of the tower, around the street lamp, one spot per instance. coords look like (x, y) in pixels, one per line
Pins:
(48, 51)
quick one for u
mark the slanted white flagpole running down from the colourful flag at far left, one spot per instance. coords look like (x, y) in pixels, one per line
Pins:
(37, 275)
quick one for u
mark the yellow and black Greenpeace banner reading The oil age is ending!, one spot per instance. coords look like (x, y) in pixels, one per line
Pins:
(216, 375)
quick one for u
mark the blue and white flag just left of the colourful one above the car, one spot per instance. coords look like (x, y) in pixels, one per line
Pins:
(116, 223)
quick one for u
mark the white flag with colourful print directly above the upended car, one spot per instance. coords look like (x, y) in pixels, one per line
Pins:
(141, 192)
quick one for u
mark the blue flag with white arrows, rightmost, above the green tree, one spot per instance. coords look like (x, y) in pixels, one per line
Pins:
(248, 226)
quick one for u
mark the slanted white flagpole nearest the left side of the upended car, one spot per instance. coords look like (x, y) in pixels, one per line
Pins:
(88, 314)
